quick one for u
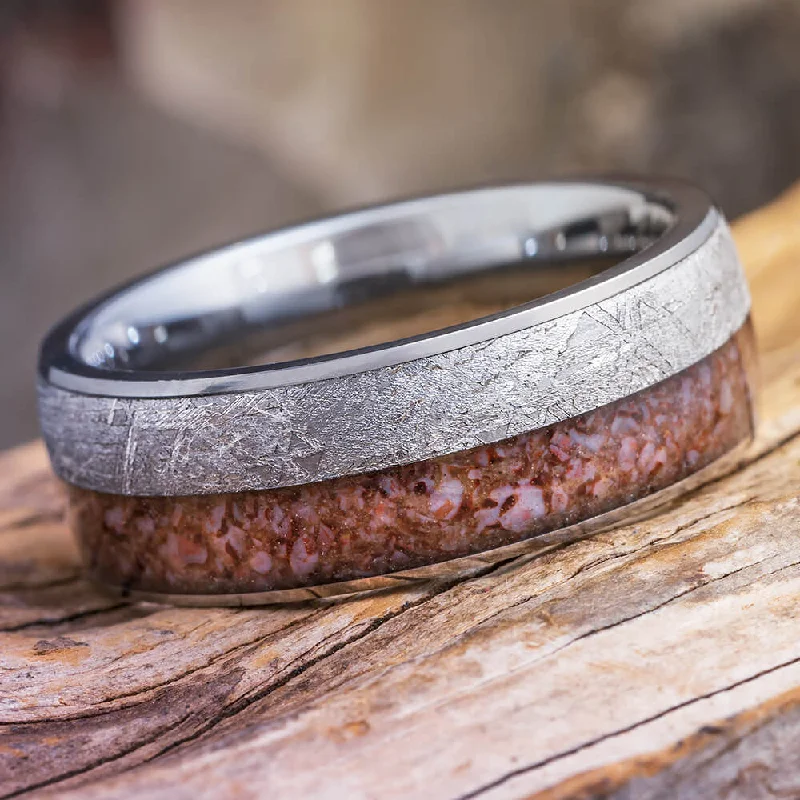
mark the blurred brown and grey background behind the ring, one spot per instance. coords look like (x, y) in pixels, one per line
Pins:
(136, 131)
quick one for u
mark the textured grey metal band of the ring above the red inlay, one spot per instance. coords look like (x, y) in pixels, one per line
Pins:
(408, 412)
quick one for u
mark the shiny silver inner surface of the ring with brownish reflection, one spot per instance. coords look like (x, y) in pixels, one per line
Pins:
(367, 278)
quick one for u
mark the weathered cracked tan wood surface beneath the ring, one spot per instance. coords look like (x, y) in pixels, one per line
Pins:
(655, 660)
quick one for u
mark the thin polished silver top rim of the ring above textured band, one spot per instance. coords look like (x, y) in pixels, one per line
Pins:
(696, 219)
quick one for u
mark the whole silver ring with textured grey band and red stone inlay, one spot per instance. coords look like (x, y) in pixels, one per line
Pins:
(418, 386)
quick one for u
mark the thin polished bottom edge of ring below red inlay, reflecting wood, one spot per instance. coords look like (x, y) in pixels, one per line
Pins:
(458, 568)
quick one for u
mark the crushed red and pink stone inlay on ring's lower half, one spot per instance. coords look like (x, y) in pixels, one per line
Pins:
(426, 512)
